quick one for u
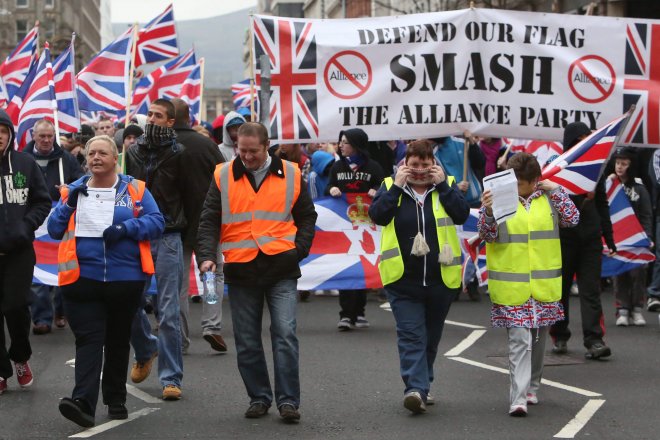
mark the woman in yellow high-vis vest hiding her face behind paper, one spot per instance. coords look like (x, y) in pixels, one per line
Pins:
(523, 255)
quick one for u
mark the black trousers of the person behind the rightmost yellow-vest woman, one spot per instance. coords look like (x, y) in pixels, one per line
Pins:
(584, 262)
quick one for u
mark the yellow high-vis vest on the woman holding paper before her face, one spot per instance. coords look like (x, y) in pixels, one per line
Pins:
(525, 260)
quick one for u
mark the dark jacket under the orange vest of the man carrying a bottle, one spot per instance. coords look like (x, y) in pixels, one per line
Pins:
(264, 269)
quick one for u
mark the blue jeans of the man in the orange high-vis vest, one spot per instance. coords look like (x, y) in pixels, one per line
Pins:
(247, 304)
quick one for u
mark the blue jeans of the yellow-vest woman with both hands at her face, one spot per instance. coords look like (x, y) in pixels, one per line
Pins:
(420, 313)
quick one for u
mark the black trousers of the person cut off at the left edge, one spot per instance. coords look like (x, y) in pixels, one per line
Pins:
(16, 271)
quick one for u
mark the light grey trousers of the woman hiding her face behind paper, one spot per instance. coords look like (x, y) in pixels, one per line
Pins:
(526, 352)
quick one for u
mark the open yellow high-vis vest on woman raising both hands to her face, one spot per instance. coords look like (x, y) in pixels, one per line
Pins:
(391, 261)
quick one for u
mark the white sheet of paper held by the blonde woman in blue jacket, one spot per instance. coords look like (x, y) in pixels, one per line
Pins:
(95, 212)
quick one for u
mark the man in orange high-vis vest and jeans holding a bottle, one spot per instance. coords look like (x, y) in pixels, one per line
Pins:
(259, 210)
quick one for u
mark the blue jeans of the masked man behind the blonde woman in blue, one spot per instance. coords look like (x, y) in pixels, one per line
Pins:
(168, 261)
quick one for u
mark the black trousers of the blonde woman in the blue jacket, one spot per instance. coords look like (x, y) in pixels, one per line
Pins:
(100, 315)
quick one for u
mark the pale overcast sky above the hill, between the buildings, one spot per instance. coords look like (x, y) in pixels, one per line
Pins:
(128, 11)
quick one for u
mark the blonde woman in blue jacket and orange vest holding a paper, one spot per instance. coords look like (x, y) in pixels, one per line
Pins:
(103, 263)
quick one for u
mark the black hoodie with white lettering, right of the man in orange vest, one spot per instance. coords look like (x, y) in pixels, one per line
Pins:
(367, 176)
